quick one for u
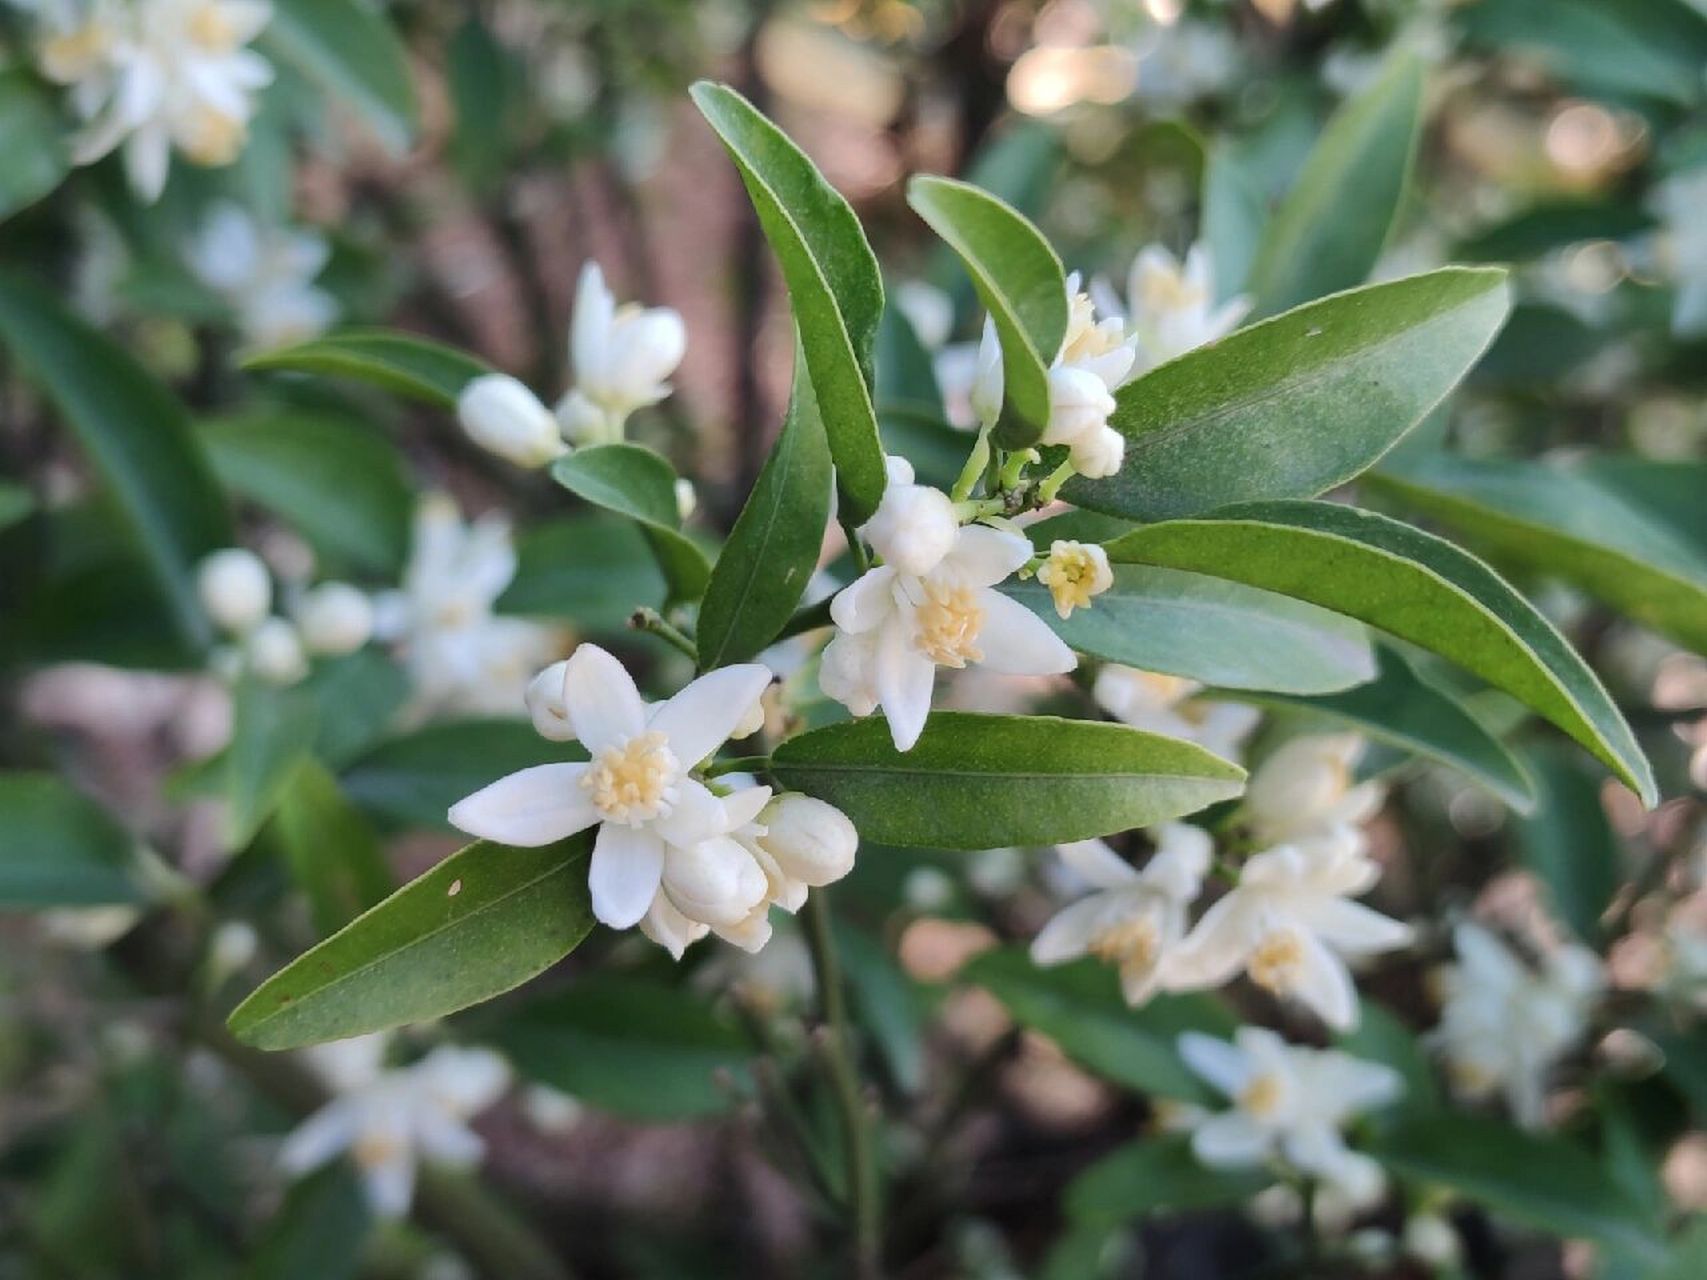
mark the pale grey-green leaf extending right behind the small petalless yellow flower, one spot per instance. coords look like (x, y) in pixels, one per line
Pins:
(1211, 631)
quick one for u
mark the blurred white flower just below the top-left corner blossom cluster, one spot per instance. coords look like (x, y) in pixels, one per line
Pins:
(264, 274)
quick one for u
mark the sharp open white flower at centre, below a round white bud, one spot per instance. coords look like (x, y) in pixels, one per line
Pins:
(895, 629)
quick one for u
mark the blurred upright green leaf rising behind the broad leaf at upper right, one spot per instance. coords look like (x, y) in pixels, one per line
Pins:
(1334, 223)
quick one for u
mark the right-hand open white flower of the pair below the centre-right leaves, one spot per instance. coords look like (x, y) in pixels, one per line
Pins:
(1290, 924)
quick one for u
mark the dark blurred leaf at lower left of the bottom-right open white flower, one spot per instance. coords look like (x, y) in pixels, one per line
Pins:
(1156, 1177)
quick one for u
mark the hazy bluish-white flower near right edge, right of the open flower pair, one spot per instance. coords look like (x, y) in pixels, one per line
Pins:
(1505, 1027)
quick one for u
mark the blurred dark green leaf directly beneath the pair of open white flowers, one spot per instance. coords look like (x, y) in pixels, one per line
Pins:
(1080, 1008)
